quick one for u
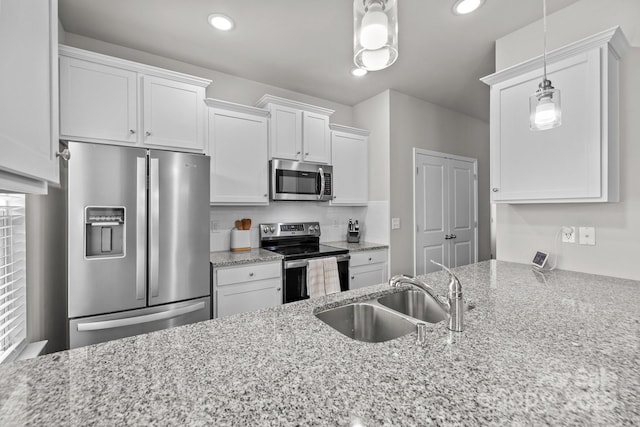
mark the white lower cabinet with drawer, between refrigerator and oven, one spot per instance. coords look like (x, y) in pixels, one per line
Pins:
(247, 288)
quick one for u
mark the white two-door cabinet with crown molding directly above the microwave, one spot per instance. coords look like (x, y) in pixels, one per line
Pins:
(298, 131)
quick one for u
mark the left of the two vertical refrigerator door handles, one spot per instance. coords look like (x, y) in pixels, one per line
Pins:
(141, 225)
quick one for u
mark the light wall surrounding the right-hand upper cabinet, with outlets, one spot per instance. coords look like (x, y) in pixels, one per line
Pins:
(521, 229)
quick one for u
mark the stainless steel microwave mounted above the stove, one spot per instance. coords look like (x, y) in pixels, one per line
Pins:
(301, 181)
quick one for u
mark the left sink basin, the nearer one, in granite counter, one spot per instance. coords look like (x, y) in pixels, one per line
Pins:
(366, 322)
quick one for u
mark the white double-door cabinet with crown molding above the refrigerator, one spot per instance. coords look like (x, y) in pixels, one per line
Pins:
(111, 100)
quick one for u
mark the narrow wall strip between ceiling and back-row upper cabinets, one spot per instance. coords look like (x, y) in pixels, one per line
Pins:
(224, 86)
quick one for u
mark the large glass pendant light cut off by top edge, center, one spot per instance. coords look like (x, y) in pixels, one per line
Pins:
(375, 40)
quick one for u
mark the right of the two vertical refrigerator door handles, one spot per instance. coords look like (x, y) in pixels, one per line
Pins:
(154, 226)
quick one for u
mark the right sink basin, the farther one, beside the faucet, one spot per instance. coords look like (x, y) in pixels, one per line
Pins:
(415, 304)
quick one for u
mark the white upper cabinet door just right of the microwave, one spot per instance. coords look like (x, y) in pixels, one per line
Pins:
(350, 169)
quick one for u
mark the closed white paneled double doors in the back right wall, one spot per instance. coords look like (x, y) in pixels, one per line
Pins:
(445, 197)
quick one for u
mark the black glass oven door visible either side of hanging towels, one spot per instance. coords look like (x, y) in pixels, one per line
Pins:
(294, 278)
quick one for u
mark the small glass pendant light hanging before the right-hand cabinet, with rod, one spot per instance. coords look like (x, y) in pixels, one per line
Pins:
(544, 104)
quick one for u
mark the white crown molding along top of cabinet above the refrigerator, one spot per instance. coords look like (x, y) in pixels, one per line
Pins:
(149, 70)
